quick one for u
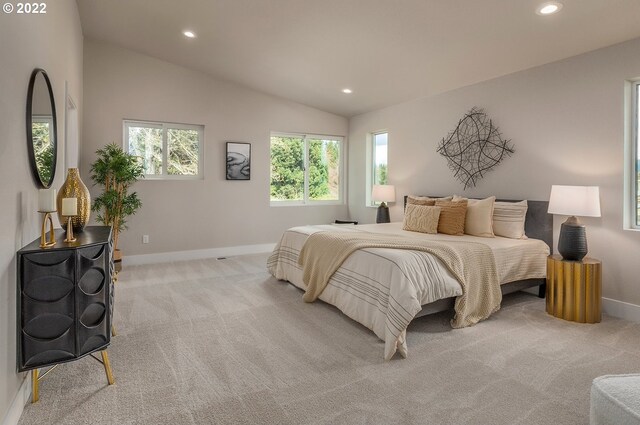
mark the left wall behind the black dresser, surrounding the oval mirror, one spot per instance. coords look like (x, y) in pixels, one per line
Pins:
(52, 42)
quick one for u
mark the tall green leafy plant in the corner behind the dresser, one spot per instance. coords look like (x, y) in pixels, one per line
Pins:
(116, 170)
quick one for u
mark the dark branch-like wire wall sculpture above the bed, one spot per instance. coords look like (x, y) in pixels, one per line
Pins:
(474, 147)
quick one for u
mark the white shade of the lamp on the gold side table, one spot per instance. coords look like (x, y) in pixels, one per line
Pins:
(583, 201)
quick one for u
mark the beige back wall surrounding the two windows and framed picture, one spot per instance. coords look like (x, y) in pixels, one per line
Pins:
(202, 214)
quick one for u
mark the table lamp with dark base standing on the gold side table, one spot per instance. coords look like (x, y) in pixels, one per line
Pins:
(574, 201)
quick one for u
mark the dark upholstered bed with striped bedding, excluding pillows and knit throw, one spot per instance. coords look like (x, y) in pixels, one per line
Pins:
(385, 288)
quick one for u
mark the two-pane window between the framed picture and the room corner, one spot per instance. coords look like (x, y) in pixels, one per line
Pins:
(306, 169)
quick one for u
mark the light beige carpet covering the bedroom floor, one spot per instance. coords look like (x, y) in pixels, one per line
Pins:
(222, 342)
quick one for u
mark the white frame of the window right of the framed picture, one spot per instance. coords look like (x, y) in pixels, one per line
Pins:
(305, 201)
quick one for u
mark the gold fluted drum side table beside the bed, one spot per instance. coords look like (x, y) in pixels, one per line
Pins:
(574, 289)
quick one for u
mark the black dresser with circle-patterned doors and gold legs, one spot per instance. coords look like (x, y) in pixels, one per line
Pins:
(65, 299)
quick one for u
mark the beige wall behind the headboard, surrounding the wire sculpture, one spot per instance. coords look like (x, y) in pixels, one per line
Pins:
(566, 122)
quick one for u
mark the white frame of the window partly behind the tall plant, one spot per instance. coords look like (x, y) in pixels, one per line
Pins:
(166, 126)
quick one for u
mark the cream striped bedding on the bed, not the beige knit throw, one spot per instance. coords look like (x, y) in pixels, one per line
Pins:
(384, 288)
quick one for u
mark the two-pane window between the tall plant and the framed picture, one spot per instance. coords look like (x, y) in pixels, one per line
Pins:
(168, 151)
